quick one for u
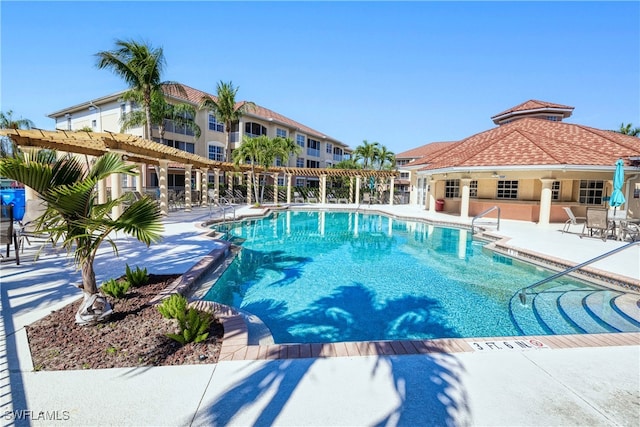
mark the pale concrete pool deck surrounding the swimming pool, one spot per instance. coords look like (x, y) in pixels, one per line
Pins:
(548, 380)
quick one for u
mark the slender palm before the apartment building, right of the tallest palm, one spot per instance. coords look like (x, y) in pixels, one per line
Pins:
(225, 108)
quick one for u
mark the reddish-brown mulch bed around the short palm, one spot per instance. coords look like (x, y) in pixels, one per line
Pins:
(133, 336)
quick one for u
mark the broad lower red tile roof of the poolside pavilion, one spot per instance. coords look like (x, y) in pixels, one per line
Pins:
(531, 142)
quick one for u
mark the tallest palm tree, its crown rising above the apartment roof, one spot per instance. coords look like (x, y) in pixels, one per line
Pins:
(140, 66)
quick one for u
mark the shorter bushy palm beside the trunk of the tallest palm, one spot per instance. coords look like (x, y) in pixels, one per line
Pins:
(181, 114)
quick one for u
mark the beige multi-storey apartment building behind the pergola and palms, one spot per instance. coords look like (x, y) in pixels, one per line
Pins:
(318, 150)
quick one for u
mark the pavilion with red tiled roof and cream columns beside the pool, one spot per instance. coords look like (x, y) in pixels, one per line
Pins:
(531, 166)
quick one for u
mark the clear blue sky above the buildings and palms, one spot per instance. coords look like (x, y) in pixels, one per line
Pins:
(400, 73)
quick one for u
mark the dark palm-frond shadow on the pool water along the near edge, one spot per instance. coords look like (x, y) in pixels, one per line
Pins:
(352, 313)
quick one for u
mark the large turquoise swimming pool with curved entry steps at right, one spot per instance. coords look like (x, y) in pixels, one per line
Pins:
(346, 276)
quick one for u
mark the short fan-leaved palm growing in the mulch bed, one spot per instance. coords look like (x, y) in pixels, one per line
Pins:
(75, 217)
